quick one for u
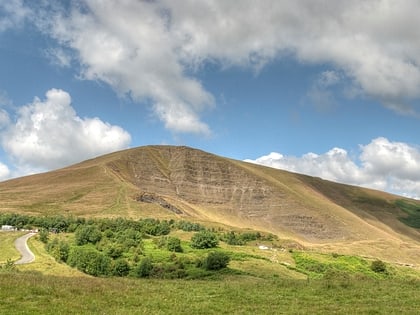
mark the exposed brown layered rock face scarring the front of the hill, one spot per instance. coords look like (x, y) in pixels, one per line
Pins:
(210, 181)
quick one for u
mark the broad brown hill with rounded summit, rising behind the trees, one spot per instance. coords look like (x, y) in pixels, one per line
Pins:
(181, 182)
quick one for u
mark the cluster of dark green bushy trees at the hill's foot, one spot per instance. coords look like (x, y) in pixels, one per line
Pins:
(115, 246)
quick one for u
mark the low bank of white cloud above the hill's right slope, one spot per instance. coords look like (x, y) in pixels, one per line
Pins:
(382, 164)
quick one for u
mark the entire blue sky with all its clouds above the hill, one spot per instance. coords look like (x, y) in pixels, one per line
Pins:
(325, 88)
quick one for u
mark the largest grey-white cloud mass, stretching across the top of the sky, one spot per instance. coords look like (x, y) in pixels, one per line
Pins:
(151, 50)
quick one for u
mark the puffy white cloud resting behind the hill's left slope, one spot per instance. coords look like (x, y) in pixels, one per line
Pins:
(48, 134)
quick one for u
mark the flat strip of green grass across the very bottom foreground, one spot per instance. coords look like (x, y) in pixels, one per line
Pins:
(32, 293)
